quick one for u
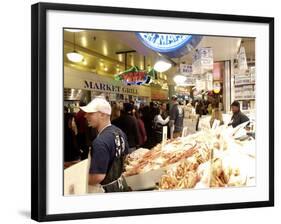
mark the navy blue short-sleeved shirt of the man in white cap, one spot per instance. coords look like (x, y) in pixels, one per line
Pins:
(104, 149)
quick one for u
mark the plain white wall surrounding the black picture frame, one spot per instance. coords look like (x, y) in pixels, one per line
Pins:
(15, 109)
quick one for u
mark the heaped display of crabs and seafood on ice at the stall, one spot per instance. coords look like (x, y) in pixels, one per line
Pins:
(206, 159)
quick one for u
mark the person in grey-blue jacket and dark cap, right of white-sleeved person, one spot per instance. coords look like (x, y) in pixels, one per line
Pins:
(176, 118)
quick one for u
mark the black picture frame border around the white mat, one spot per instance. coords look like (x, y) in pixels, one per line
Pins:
(38, 109)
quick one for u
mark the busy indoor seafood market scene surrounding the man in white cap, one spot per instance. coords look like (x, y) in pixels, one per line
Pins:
(206, 76)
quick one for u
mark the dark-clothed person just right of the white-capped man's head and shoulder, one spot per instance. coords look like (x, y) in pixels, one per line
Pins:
(128, 124)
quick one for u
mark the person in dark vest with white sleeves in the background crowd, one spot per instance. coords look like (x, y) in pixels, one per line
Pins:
(160, 120)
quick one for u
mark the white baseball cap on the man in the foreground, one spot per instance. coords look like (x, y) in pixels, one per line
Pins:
(98, 104)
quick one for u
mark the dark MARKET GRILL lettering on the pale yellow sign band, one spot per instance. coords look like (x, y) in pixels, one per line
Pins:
(105, 87)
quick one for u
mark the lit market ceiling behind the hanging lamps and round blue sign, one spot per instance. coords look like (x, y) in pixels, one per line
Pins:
(100, 47)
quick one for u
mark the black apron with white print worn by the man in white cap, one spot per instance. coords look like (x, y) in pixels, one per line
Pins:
(114, 181)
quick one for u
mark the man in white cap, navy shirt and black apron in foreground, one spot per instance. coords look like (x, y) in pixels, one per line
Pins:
(109, 148)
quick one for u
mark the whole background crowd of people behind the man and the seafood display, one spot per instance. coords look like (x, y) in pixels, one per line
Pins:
(142, 125)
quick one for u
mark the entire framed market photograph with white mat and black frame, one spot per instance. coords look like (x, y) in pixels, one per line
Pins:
(140, 111)
